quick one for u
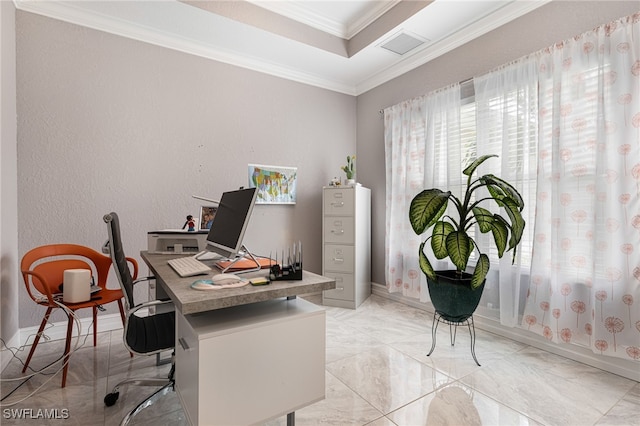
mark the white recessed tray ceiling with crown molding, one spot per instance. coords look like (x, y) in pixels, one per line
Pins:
(336, 45)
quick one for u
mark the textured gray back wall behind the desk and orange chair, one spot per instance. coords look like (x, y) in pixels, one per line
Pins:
(111, 124)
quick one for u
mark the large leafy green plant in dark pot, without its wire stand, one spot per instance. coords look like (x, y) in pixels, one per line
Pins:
(455, 294)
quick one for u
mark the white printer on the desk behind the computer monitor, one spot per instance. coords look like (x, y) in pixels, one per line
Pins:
(176, 241)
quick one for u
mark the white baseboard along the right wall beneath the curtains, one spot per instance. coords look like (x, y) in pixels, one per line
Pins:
(613, 365)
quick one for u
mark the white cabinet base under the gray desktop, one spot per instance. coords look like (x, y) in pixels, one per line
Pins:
(250, 371)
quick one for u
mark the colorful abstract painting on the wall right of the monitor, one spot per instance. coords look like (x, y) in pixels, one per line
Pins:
(276, 185)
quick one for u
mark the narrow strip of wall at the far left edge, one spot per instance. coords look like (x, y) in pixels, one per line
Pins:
(8, 185)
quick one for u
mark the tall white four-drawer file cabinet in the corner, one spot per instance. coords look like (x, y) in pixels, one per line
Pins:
(346, 244)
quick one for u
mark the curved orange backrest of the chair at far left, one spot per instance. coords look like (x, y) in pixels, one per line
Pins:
(43, 267)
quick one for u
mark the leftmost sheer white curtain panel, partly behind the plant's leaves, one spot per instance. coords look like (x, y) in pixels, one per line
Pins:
(416, 156)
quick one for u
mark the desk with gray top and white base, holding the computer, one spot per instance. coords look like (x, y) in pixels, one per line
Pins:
(249, 354)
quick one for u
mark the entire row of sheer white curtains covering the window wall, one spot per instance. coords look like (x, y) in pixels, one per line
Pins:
(566, 125)
